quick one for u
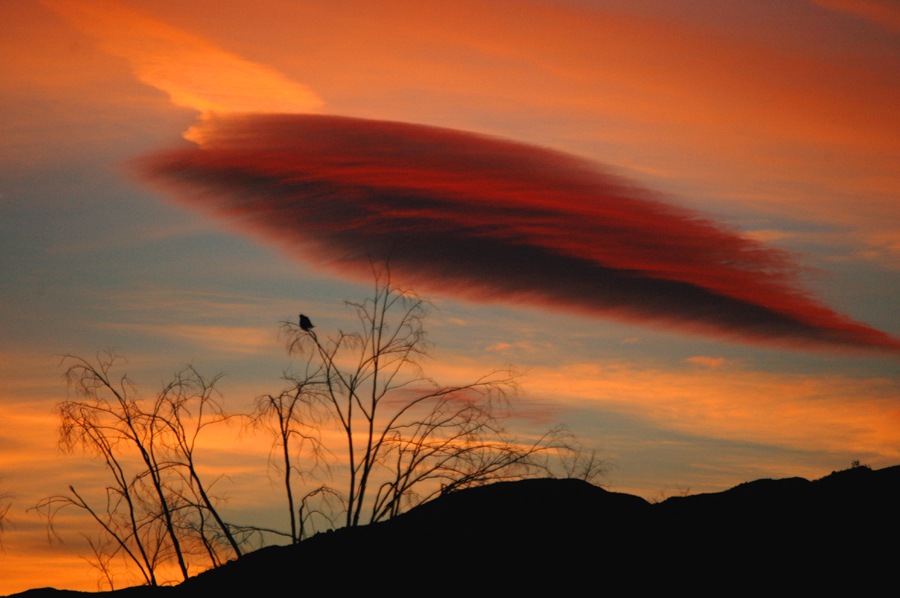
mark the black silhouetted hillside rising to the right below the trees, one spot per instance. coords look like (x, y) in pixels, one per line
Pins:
(840, 533)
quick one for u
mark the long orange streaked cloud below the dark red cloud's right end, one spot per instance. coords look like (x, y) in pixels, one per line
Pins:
(833, 413)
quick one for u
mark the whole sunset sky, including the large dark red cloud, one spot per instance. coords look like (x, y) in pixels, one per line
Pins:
(680, 221)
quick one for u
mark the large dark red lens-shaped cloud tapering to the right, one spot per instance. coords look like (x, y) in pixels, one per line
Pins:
(488, 219)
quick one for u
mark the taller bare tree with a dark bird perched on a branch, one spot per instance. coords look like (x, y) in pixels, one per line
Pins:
(406, 438)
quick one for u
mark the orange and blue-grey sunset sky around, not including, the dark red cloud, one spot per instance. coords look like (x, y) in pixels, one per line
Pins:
(776, 121)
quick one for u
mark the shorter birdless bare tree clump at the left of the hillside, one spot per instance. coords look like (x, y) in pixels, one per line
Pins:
(156, 508)
